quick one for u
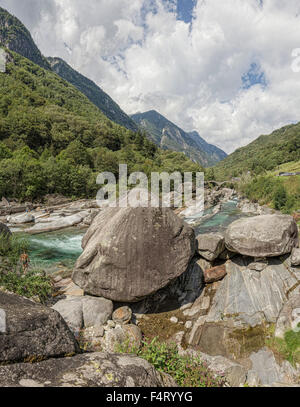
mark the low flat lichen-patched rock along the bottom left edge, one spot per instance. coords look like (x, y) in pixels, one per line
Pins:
(87, 370)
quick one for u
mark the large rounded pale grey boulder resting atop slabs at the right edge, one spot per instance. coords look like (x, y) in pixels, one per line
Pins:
(262, 236)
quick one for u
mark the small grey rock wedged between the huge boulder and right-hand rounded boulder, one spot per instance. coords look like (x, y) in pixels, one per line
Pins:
(210, 245)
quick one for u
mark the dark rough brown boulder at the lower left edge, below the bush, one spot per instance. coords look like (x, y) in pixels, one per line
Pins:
(31, 331)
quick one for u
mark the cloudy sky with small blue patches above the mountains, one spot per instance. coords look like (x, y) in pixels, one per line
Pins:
(222, 68)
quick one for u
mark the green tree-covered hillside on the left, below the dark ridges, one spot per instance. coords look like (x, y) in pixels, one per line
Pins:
(54, 140)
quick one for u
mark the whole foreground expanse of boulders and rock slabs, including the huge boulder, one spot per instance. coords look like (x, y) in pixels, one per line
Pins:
(233, 292)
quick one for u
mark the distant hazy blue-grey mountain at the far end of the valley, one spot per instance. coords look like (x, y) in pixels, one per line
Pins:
(168, 136)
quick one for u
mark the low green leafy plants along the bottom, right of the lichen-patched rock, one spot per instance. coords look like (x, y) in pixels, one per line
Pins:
(188, 371)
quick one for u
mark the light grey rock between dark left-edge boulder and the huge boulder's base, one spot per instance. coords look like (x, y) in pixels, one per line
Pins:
(84, 312)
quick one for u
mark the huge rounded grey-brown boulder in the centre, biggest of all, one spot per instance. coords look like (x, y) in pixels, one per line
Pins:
(130, 253)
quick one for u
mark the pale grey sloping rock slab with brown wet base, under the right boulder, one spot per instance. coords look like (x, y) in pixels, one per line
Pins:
(245, 303)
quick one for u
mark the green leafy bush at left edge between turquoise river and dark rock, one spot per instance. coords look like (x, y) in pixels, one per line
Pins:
(33, 283)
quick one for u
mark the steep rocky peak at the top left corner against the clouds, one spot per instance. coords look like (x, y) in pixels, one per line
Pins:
(14, 36)
